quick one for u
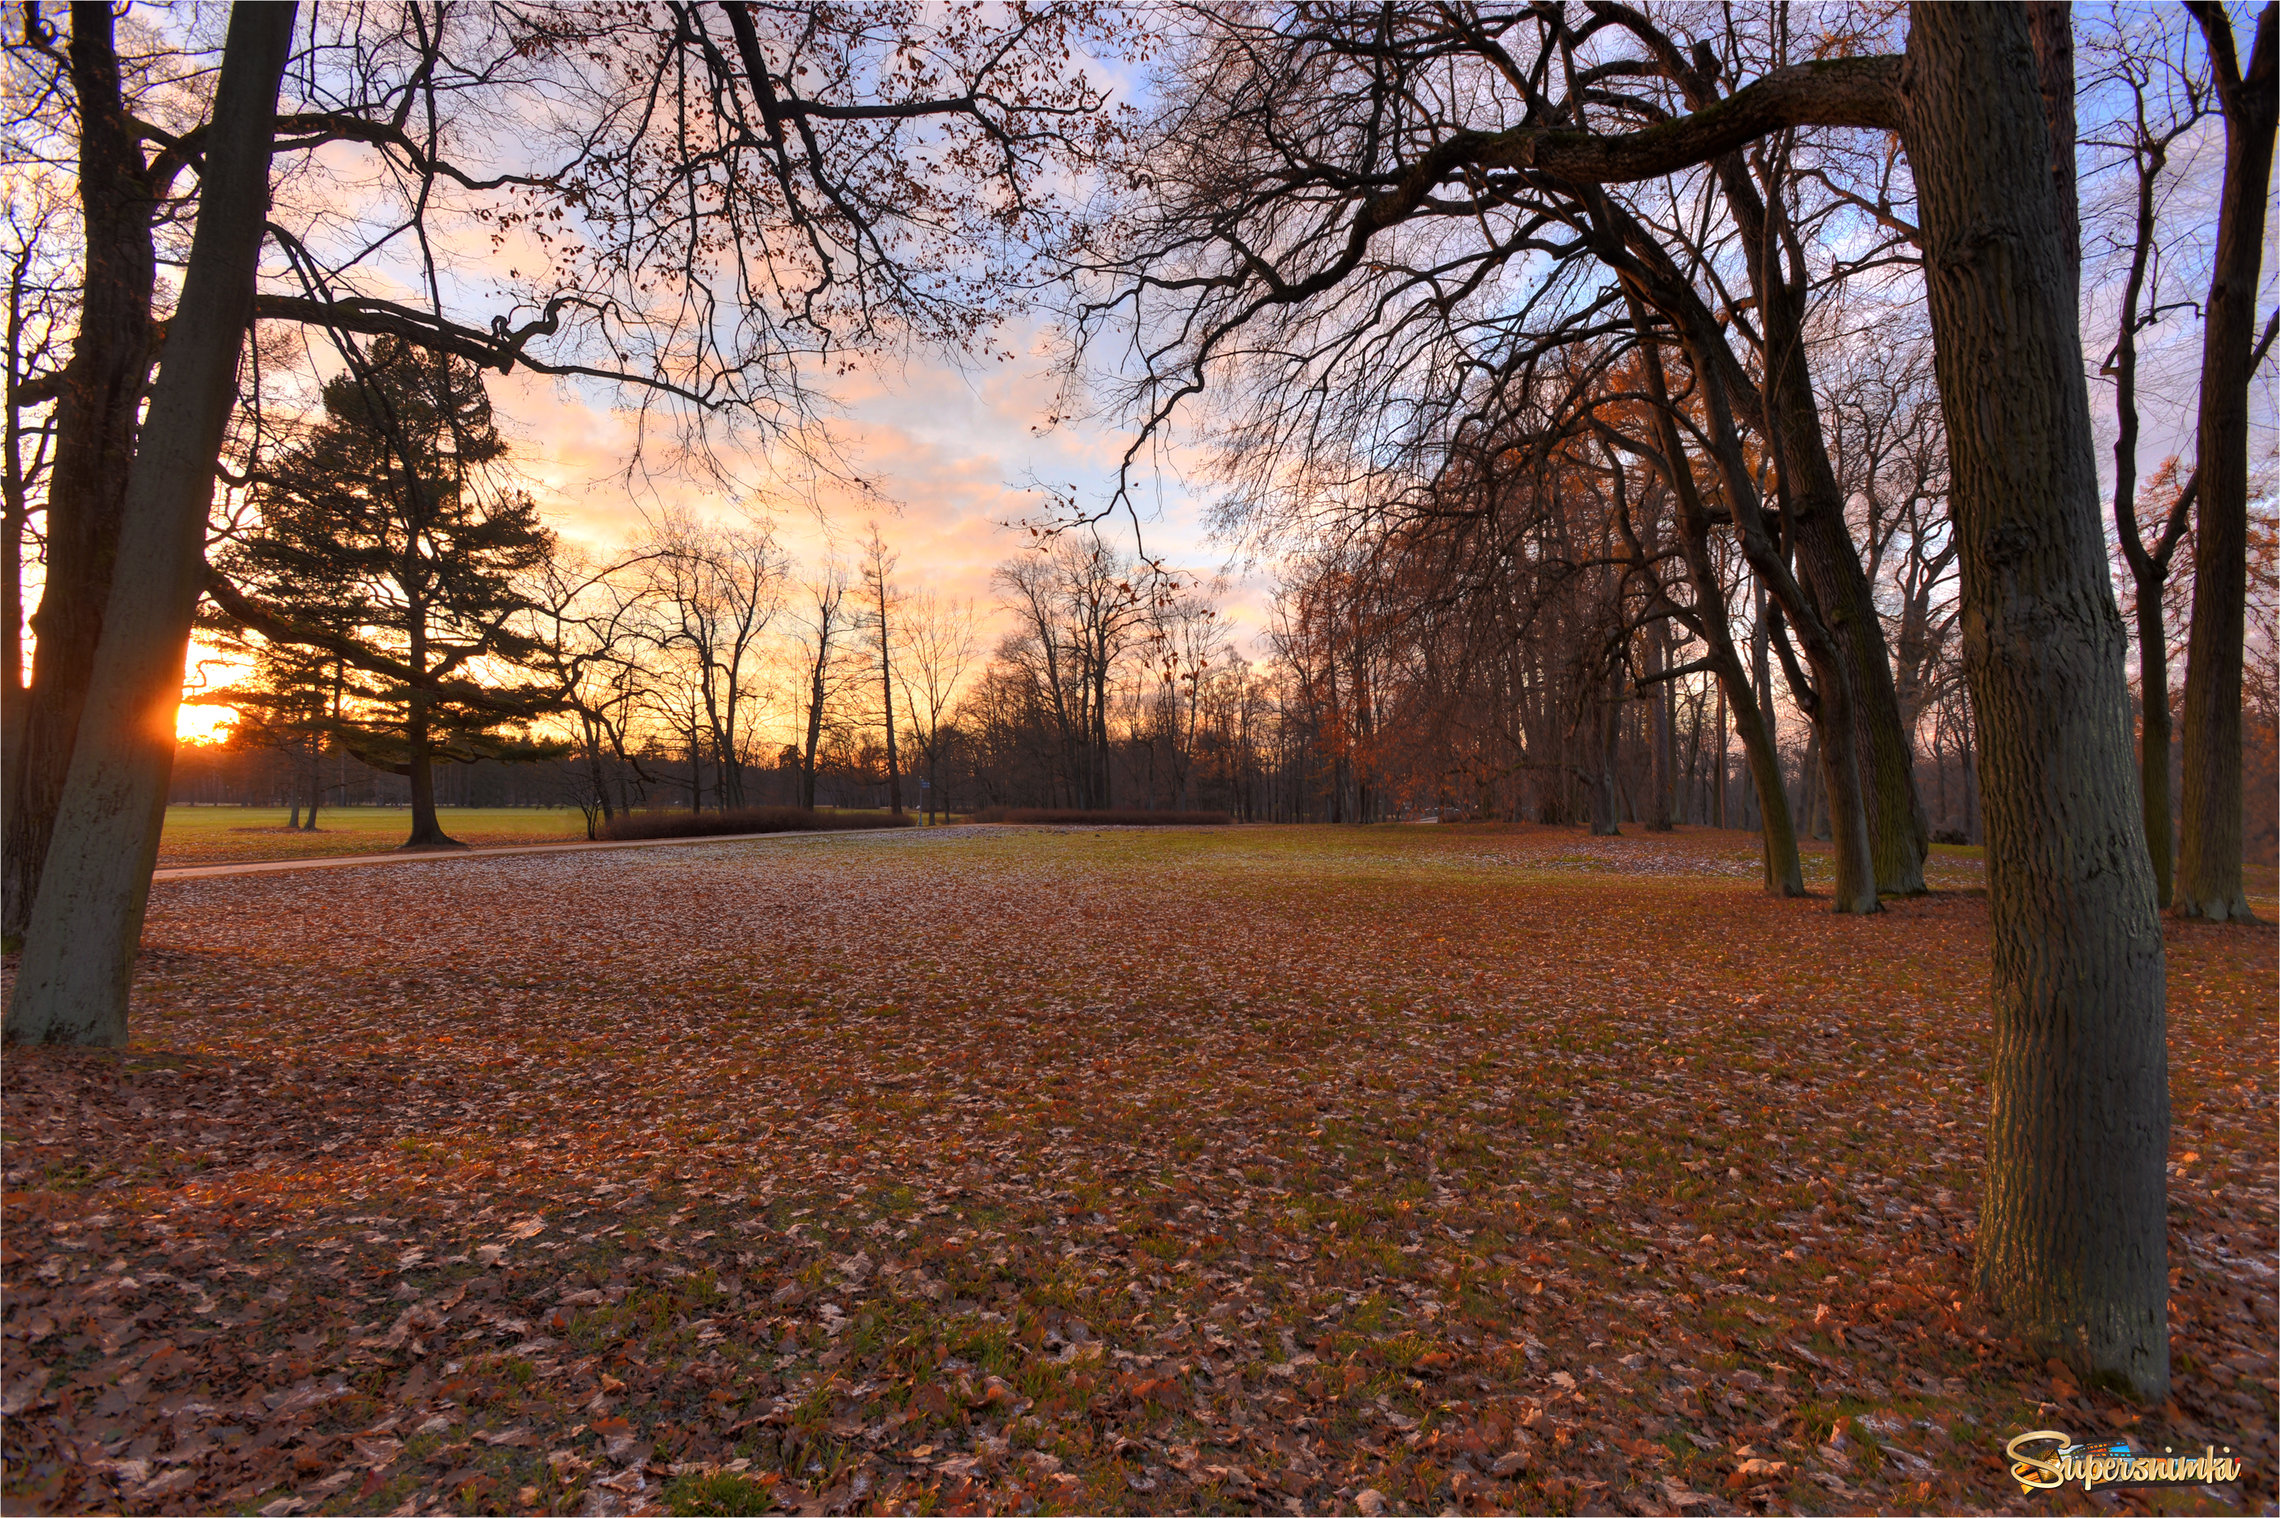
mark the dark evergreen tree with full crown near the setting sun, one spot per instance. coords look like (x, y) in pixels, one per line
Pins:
(393, 528)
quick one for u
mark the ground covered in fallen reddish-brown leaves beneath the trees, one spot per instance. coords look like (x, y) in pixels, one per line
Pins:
(1002, 1170)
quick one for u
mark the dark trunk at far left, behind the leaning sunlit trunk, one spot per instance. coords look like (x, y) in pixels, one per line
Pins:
(95, 446)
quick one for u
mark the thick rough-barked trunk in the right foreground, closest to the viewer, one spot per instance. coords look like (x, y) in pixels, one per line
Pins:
(2074, 1214)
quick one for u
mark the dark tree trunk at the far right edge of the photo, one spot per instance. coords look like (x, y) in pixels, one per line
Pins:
(2210, 860)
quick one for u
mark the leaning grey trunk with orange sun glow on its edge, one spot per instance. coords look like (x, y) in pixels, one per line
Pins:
(79, 956)
